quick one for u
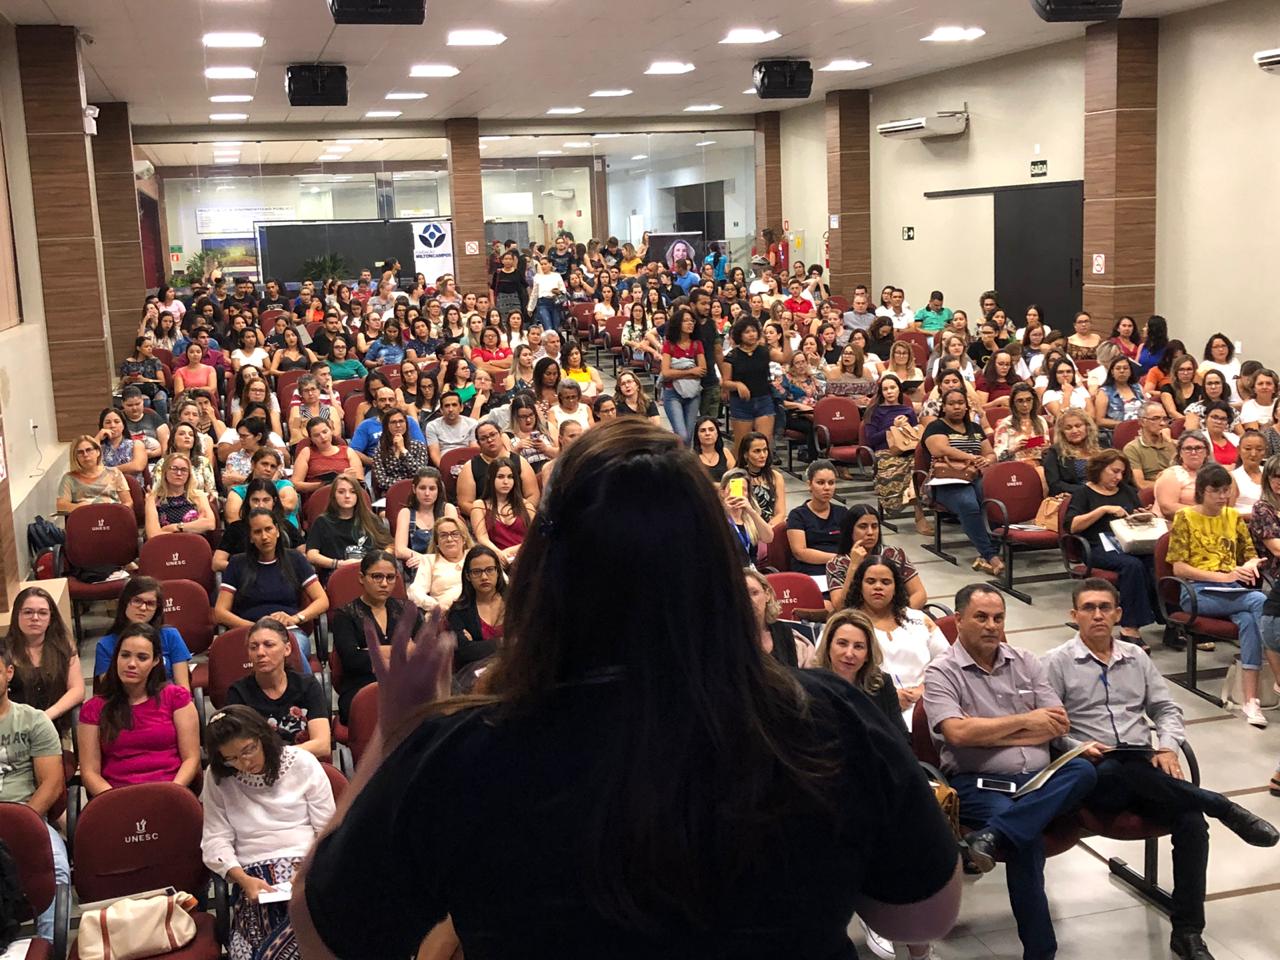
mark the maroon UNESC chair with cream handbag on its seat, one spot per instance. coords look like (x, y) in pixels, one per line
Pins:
(145, 838)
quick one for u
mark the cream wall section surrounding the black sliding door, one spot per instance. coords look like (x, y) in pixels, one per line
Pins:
(1016, 104)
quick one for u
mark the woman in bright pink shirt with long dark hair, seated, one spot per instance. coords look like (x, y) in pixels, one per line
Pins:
(140, 729)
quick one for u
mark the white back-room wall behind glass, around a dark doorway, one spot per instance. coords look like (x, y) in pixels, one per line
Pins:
(643, 191)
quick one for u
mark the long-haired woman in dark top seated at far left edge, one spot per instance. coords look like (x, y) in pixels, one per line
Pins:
(47, 671)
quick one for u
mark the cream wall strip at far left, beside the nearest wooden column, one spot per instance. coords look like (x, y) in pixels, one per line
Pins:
(26, 383)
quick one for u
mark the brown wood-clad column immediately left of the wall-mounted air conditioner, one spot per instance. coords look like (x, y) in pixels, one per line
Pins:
(849, 189)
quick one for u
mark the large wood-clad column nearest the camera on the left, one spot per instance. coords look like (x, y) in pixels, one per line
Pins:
(67, 231)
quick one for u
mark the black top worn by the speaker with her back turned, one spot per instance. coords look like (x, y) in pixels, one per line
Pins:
(438, 831)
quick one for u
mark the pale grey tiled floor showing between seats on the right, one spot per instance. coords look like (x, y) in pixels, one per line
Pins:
(1098, 917)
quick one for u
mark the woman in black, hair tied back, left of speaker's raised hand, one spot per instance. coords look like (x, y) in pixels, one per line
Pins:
(376, 612)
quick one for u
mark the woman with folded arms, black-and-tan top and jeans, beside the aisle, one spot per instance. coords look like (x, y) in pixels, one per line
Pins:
(961, 444)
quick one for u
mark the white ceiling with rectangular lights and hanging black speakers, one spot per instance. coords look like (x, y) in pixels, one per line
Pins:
(149, 52)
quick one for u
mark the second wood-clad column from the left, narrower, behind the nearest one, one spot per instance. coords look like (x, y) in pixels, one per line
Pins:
(118, 225)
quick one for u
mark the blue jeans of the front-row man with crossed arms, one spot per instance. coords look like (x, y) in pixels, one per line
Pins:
(1020, 826)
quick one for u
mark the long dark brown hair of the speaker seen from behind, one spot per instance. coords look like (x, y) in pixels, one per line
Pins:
(716, 739)
